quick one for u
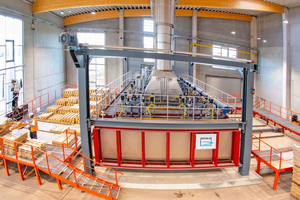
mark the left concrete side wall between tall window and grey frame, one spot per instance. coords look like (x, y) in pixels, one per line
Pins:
(43, 54)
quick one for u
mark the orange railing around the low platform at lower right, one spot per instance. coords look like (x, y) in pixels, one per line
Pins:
(274, 157)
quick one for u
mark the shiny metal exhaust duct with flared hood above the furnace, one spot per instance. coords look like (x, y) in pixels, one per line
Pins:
(163, 80)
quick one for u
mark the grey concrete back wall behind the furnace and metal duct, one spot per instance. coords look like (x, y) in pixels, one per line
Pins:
(208, 28)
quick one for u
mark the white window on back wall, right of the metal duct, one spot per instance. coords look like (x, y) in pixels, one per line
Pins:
(225, 52)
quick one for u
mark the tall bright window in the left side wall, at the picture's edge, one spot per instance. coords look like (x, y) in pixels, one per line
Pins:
(11, 59)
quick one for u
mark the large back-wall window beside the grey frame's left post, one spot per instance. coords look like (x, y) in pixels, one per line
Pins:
(97, 64)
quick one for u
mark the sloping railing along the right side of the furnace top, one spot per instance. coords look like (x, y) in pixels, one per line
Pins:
(214, 92)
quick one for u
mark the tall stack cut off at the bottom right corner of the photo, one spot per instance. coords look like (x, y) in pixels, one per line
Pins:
(295, 190)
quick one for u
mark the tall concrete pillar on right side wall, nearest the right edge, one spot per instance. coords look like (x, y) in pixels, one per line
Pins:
(286, 74)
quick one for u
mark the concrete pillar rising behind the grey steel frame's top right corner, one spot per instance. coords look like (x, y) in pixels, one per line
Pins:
(253, 43)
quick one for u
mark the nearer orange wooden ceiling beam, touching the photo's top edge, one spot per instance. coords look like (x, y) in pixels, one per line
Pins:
(255, 5)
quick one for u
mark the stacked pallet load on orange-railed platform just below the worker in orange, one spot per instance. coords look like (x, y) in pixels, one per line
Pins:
(25, 150)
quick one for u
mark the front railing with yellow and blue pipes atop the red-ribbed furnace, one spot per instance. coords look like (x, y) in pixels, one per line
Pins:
(169, 107)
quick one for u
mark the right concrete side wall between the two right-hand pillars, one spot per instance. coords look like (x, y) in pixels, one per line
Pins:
(269, 81)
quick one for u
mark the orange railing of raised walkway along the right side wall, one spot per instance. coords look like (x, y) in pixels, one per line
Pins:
(275, 109)
